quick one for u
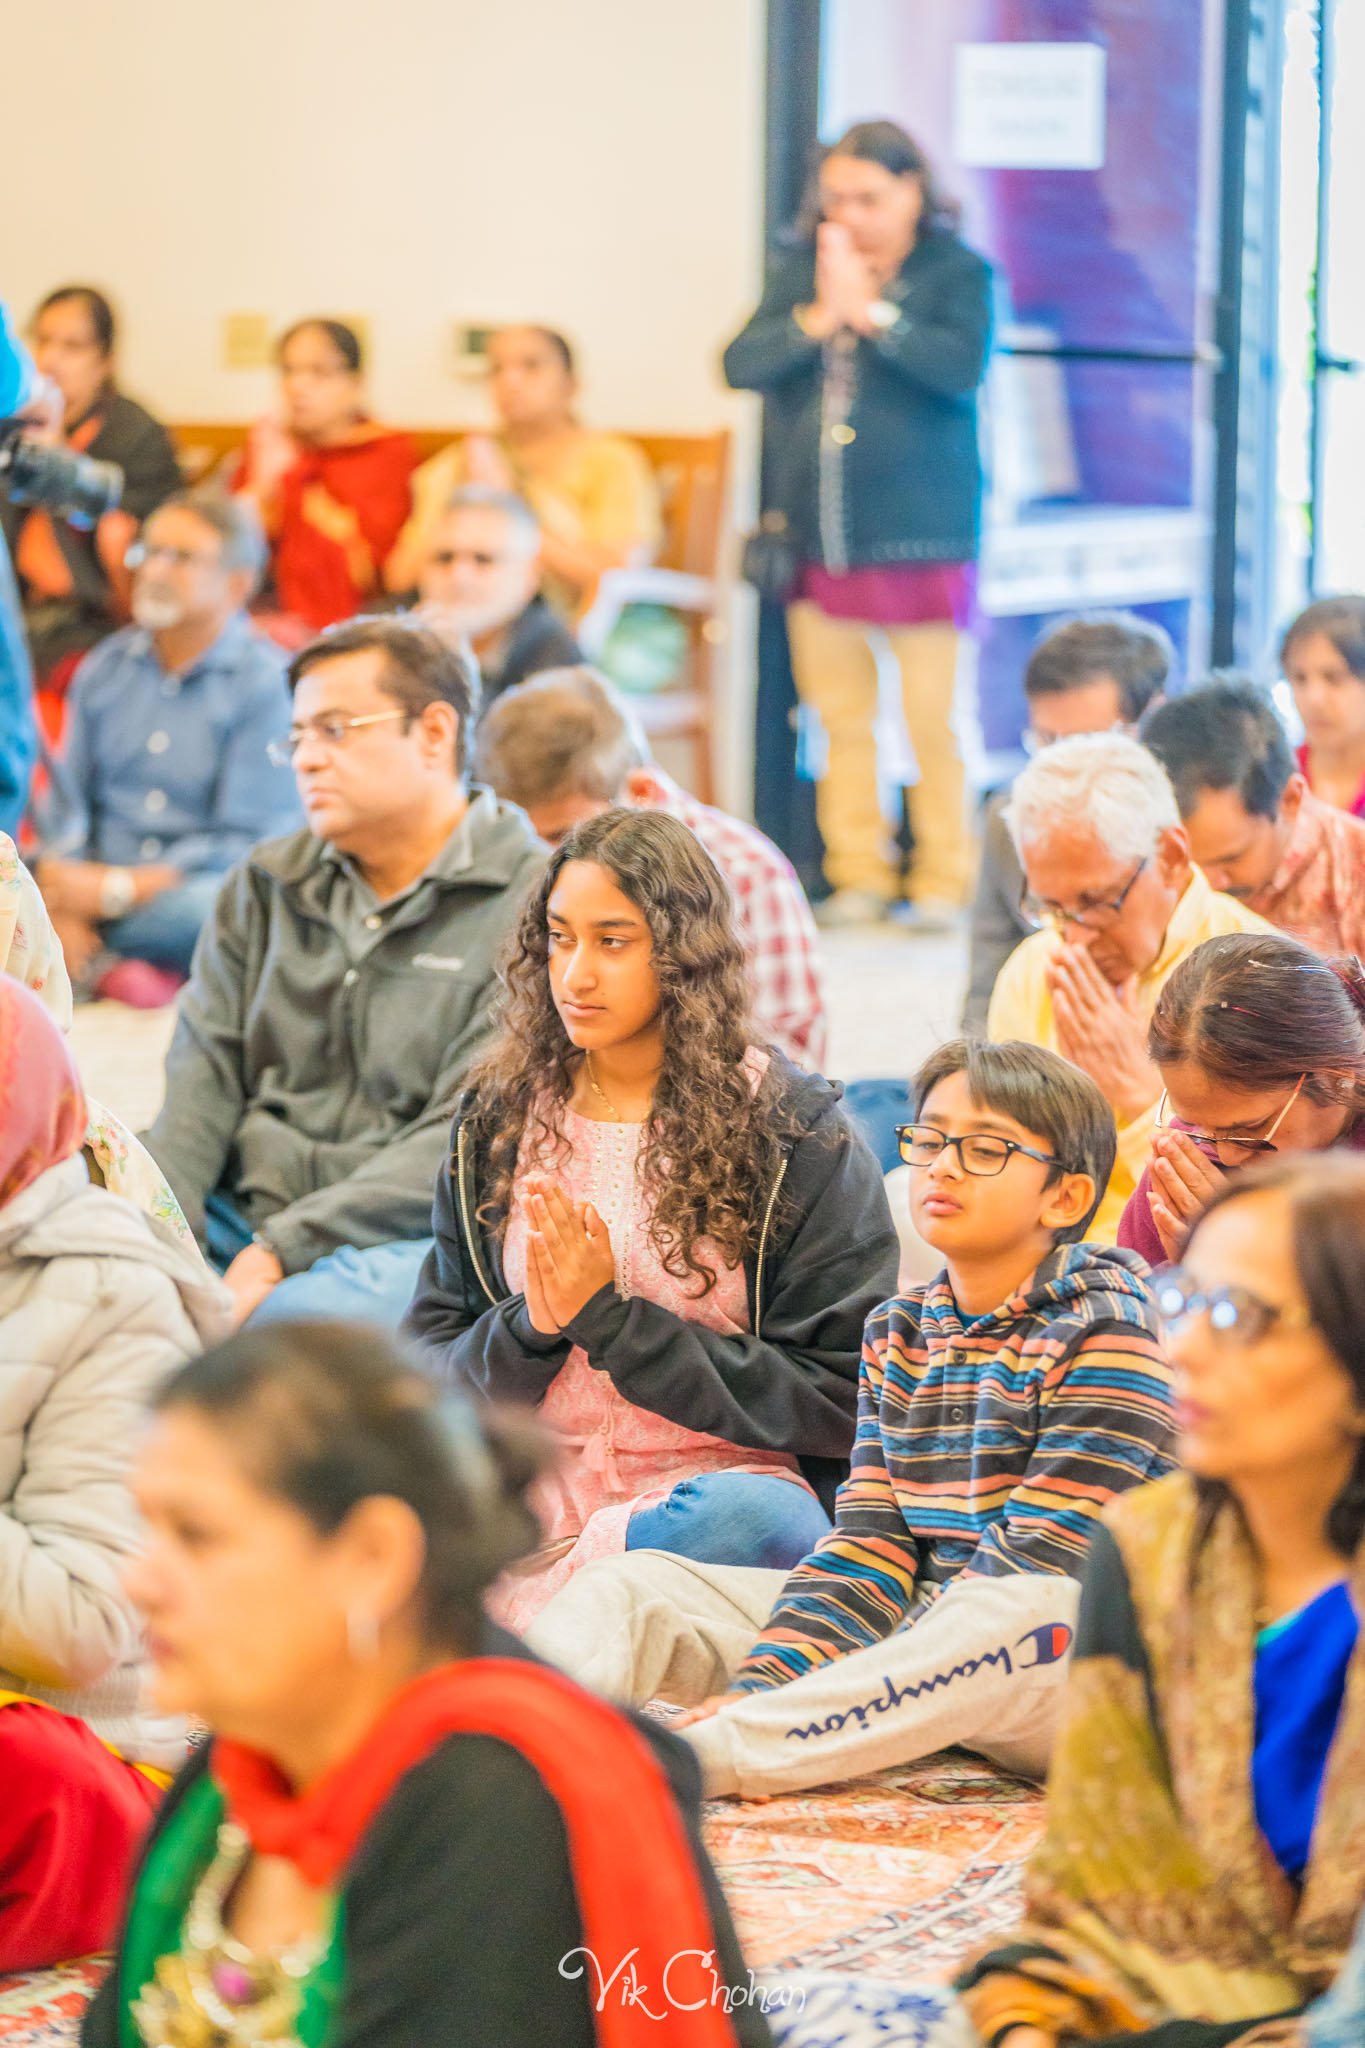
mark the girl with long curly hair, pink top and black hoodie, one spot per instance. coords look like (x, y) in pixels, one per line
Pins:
(654, 1228)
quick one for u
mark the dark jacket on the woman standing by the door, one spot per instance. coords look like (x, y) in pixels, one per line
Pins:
(885, 468)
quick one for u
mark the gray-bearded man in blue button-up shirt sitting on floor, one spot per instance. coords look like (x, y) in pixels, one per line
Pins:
(165, 781)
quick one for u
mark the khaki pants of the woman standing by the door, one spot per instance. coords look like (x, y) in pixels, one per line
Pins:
(836, 675)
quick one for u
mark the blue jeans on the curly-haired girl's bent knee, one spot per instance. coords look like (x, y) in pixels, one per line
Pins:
(734, 1519)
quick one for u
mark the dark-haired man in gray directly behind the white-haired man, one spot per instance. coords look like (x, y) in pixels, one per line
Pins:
(1094, 675)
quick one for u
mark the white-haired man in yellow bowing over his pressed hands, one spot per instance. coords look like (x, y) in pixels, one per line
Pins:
(1116, 904)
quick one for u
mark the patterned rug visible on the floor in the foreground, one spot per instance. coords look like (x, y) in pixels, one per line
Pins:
(865, 1897)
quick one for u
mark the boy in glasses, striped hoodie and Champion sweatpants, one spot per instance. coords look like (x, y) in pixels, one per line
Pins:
(998, 1412)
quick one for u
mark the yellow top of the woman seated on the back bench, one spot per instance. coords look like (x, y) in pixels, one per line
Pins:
(599, 490)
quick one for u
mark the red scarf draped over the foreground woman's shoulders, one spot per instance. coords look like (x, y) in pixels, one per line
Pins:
(633, 1869)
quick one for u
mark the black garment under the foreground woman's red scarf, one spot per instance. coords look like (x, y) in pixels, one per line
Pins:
(461, 1904)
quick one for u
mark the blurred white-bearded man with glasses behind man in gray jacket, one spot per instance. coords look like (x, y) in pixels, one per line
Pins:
(482, 583)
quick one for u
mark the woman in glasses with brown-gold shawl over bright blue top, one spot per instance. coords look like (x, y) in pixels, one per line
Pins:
(1206, 1814)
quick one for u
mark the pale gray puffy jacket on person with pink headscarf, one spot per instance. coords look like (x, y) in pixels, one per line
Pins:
(97, 1306)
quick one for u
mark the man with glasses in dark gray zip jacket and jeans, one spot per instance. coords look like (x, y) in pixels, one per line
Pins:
(345, 986)
